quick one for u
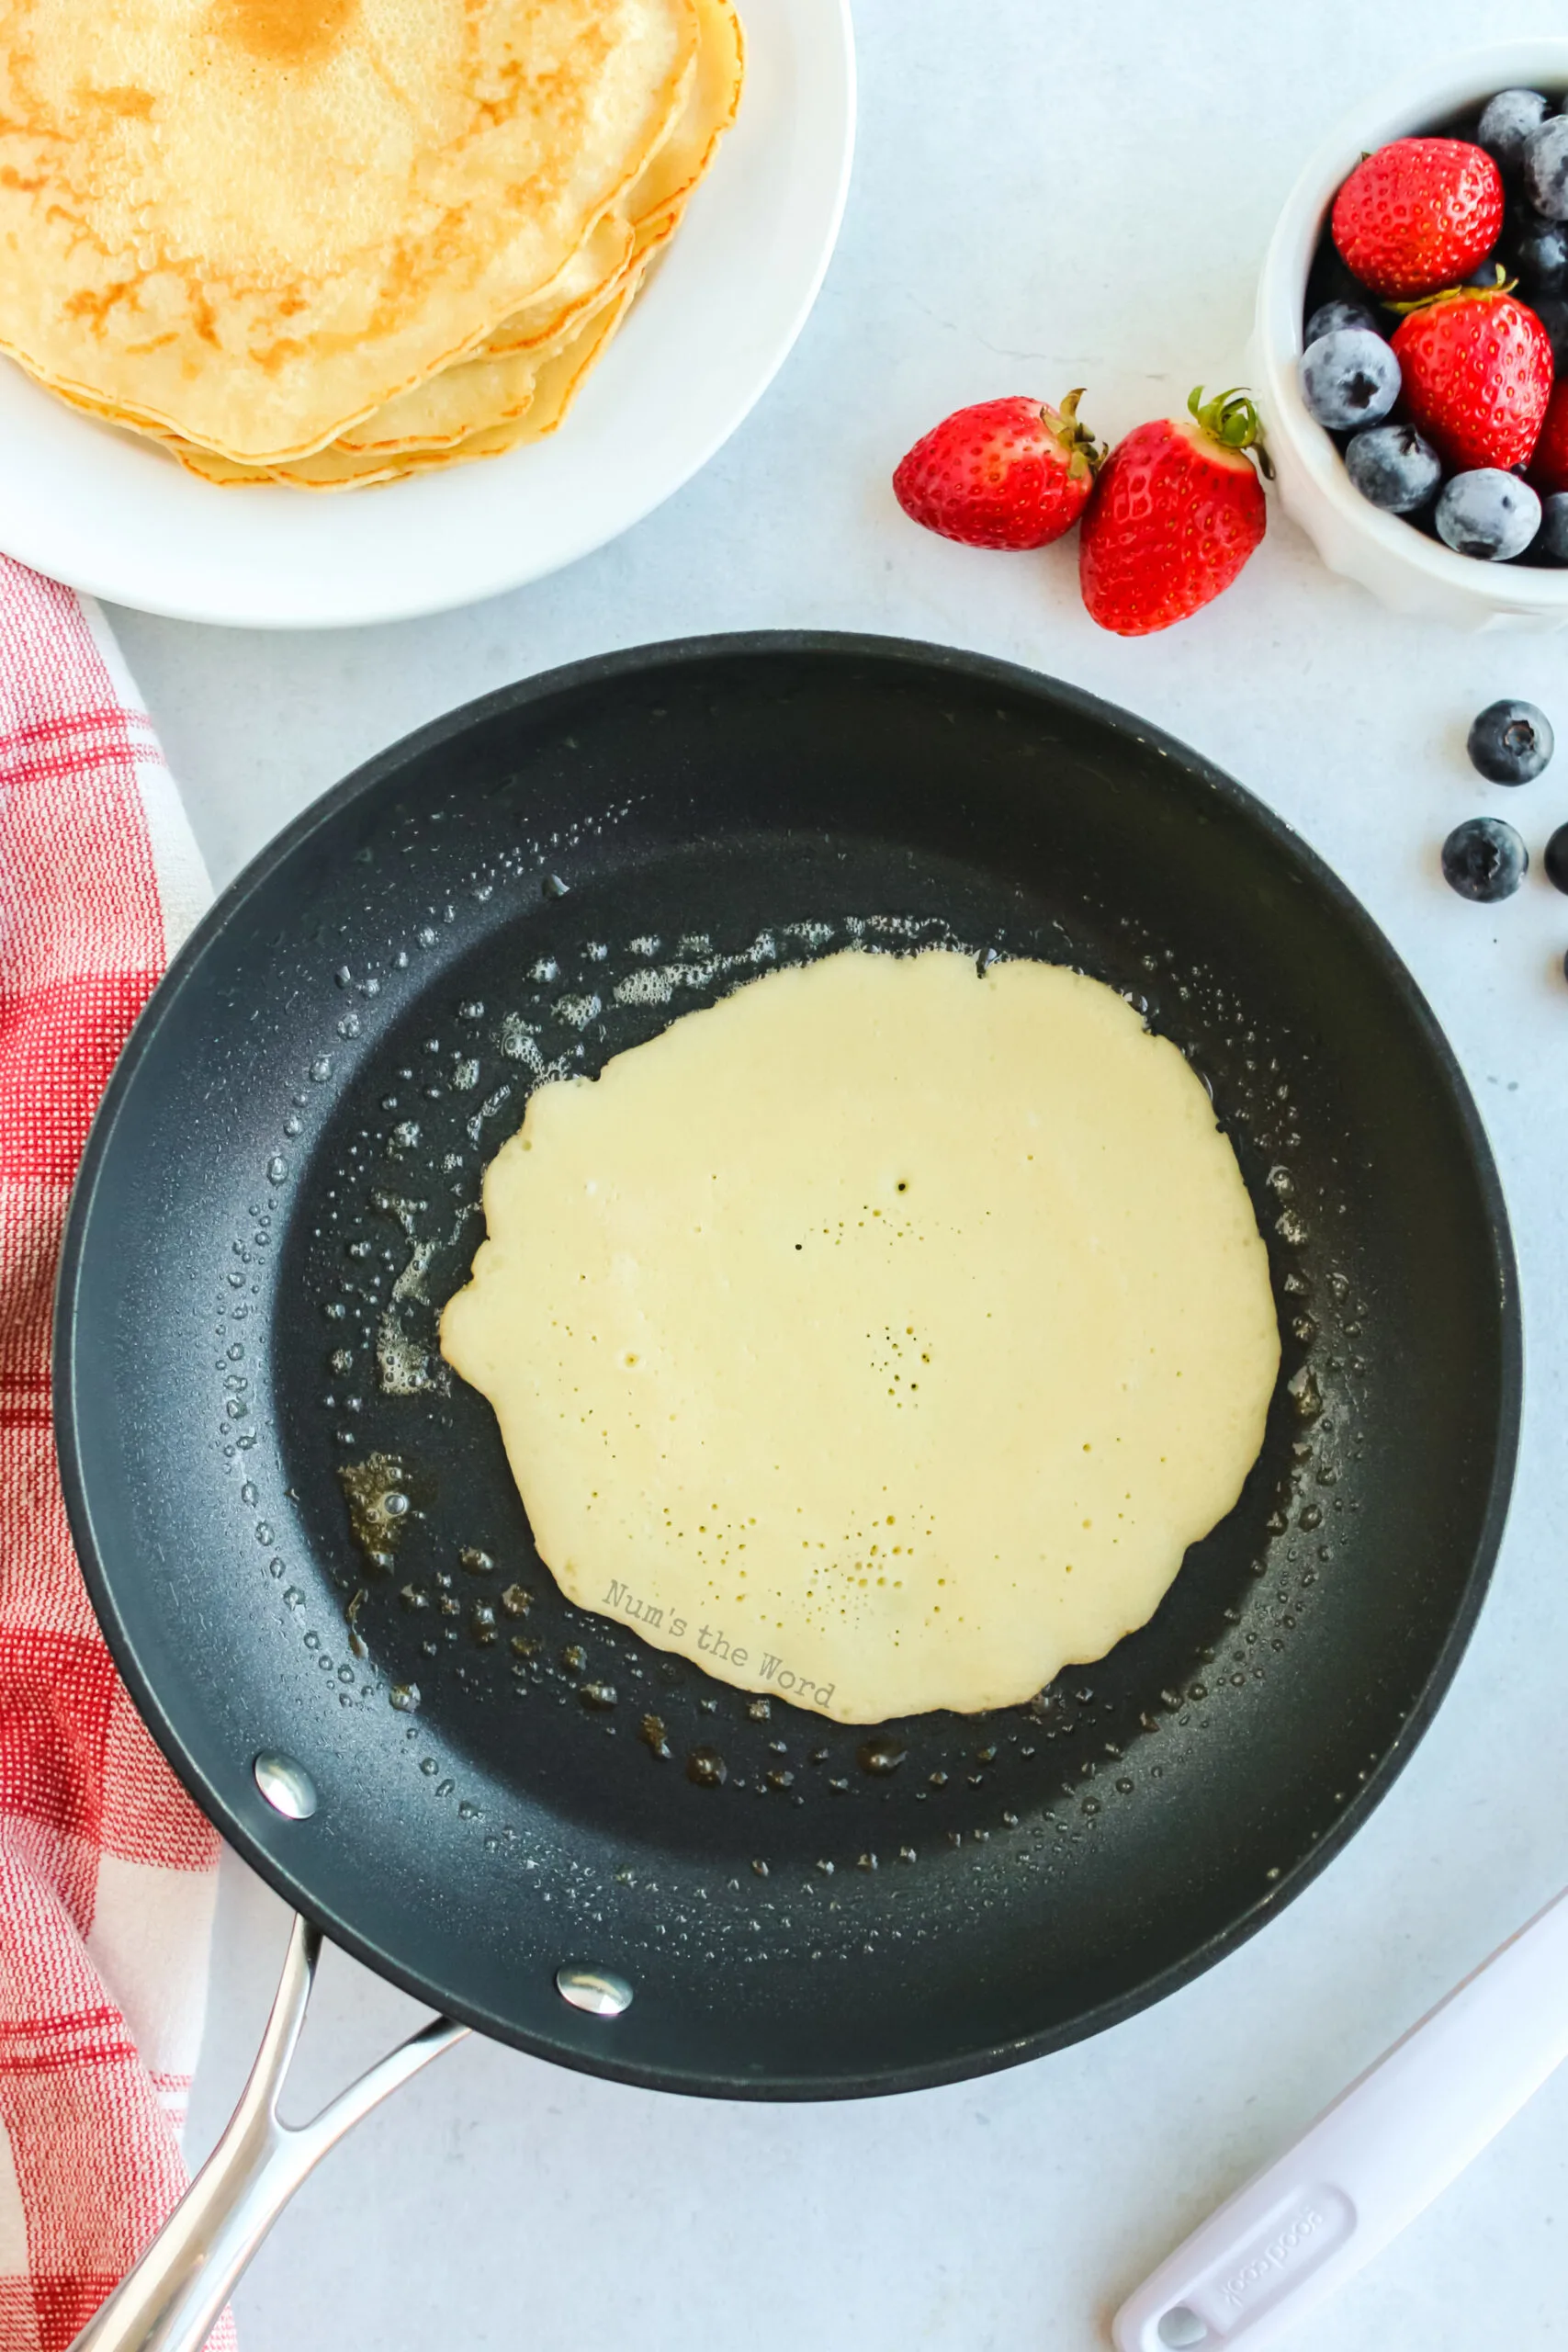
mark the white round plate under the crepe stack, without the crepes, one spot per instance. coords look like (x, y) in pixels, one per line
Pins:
(109, 514)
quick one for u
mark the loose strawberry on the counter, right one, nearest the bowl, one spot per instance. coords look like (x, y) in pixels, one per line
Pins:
(1174, 516)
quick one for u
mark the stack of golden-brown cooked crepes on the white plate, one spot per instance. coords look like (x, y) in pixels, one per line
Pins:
(340, 241)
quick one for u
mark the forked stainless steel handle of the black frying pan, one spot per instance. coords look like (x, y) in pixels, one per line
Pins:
(175, 2294)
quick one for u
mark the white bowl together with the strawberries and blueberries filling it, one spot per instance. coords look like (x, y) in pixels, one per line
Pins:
(1412, 330)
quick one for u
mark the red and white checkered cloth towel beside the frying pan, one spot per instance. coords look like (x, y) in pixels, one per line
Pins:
(107, 1871)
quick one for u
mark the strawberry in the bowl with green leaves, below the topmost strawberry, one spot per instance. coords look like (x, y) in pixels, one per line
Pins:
(1477, 377)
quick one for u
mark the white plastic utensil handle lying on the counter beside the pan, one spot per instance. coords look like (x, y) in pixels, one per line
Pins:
(1372, 2163)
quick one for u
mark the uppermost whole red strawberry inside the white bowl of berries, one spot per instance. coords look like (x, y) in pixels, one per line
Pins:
(1419, 215)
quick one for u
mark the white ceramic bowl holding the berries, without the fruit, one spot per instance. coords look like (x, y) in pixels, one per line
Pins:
(1398, 563)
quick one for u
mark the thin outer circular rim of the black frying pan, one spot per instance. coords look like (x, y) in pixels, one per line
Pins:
(650, 660)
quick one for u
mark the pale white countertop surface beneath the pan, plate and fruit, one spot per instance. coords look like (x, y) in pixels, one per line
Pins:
(1040, 201)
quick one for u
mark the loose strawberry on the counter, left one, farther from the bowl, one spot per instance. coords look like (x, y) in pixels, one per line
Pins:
(1007, 474)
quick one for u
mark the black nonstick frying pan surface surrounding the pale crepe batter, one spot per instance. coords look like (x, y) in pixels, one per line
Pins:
(281, 1194)
